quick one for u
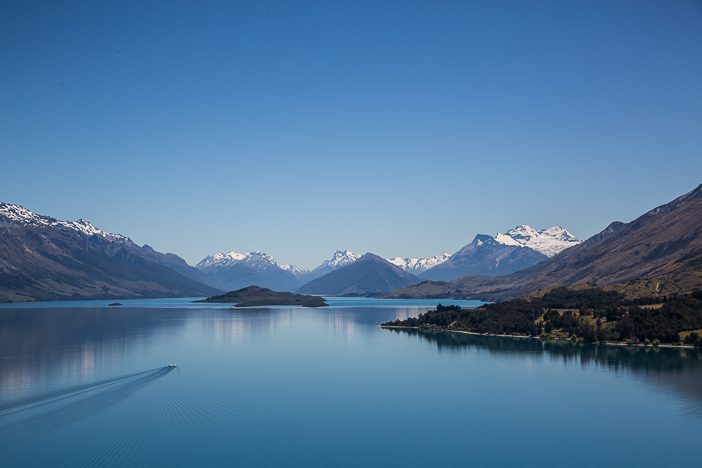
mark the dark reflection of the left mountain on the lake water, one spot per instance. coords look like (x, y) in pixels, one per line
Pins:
(37, 345)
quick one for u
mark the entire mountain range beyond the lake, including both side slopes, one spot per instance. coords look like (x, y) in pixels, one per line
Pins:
(42, 258)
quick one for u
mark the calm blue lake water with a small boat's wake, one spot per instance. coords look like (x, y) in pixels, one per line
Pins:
(82, 384)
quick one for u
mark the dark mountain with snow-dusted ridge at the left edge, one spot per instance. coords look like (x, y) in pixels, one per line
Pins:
(42, 258)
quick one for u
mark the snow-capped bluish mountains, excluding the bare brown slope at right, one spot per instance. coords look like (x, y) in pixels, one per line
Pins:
(43, 258)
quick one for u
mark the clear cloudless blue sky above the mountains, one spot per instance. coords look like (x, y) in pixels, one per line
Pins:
(298, 128)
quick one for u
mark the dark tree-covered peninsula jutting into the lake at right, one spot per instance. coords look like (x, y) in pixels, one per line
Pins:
(585, 315)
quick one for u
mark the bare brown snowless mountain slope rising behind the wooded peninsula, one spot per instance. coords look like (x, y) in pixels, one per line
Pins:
(658, 253)
